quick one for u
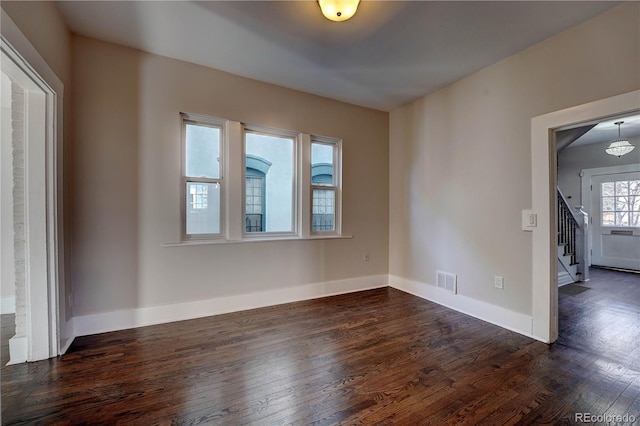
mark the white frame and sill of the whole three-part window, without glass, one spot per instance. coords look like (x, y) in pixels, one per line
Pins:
(233, 177)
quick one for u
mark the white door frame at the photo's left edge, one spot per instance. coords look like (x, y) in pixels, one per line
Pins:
(43, 208)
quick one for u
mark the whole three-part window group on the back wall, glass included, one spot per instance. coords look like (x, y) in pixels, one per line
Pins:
(247, 182)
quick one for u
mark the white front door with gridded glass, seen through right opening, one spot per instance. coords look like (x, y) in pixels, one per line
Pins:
(615, 210)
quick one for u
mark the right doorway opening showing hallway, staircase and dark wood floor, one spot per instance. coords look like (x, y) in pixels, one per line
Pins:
(599, 309)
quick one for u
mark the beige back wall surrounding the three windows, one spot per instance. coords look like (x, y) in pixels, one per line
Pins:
(125, 183)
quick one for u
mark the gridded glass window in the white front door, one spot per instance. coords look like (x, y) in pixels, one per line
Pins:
(621, 203)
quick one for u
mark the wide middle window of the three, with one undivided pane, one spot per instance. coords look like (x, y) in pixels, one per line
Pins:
(269, 182)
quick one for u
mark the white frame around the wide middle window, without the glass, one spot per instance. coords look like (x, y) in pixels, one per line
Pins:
(287, 134)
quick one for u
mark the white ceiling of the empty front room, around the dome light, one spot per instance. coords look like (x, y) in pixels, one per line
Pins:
(390, 53)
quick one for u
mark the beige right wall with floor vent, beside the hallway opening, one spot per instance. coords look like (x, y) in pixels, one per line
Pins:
(460, 159)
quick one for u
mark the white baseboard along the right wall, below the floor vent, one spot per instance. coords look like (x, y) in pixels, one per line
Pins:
(514, 321)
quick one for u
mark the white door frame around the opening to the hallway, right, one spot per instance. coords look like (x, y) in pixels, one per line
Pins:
(544, 181)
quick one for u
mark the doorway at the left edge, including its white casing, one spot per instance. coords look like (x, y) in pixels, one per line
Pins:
(30, 211)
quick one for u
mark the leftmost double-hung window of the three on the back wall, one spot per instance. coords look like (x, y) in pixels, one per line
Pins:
(202, 176)
